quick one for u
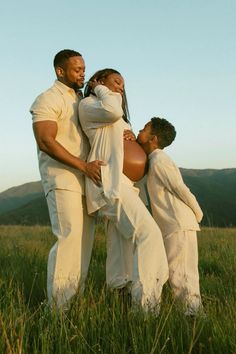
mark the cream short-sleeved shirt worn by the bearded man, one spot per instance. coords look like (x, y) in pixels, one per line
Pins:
(60, 104)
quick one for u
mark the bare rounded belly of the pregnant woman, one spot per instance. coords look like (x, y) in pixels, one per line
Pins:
(135, 160)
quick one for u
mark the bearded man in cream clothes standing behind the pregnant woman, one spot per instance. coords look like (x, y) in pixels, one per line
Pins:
(62, 153)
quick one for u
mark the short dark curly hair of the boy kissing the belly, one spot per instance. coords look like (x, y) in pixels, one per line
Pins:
(164, 131)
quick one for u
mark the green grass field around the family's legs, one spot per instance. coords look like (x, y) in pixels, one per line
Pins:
(101, 322)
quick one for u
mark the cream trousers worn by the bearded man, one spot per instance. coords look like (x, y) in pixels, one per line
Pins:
(69, 258)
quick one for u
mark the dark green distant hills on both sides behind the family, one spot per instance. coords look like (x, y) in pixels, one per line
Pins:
(214, 189)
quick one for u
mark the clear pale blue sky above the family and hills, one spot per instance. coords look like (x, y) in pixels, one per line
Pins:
(178, 58)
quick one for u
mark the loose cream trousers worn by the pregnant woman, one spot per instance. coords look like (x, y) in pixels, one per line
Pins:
(135, 248)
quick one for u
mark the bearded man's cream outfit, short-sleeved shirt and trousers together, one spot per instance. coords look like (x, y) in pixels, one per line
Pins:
(69, 258)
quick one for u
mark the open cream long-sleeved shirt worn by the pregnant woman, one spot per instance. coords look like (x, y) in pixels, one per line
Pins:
(102, 122)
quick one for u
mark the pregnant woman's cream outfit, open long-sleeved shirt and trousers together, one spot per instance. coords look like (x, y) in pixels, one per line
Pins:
(131, 227)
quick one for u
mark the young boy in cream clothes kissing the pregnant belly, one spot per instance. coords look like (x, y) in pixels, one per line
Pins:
(176, 211)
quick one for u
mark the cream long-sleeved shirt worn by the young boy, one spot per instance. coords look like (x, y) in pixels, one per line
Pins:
(174, 207)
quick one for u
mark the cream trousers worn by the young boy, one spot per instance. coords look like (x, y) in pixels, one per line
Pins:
(182, 254)
